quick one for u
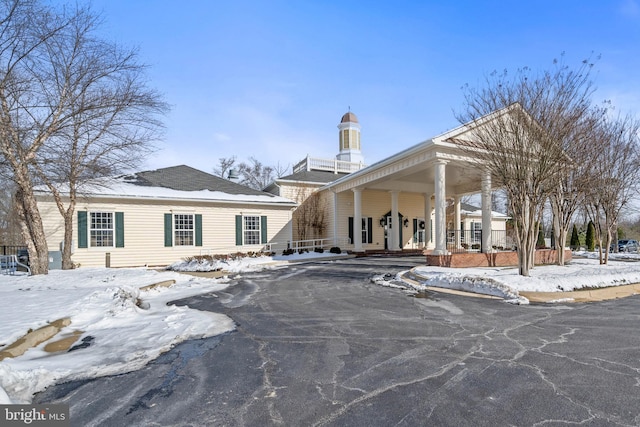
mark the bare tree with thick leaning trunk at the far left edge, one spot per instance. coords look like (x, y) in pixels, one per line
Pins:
(28, 118)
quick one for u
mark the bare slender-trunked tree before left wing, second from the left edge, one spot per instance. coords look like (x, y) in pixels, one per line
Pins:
(113, 118)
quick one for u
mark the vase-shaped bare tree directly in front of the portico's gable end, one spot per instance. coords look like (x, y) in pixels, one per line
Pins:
(519, 125)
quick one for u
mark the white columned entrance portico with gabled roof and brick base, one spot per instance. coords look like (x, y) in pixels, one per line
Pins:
(413, 186)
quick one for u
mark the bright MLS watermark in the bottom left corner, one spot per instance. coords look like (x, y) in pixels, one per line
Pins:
(34, 415)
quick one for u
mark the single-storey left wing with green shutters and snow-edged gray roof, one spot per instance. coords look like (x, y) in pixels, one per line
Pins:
(157, 217)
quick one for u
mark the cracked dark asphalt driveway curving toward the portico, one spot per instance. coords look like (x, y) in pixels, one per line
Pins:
(319, 344)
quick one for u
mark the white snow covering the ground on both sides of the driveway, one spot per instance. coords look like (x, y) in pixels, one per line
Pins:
(123, 336)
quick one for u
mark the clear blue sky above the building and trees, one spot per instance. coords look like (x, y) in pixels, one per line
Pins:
(271, 79)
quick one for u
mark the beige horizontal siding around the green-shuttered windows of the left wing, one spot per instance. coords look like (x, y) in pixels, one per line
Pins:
(144, 230)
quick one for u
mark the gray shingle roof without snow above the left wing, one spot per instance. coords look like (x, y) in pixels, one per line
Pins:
(186, 178)
